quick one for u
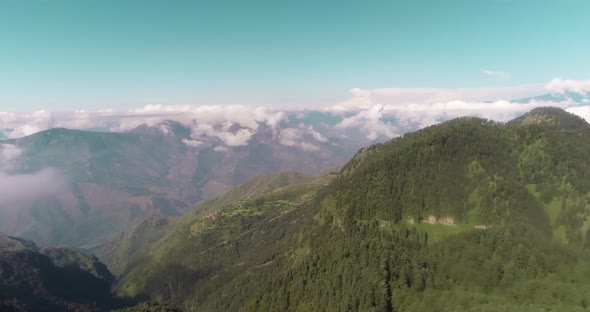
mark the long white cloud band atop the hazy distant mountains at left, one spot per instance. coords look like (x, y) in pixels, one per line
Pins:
(231, 125)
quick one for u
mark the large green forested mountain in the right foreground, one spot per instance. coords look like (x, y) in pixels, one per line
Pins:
(467, 215)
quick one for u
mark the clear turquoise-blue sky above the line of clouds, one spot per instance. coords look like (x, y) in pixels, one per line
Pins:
(66, 55)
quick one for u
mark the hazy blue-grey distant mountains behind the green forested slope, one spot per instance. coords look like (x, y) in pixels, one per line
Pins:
(81, 188)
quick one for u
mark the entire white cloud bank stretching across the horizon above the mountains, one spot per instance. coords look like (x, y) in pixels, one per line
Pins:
(375, 113)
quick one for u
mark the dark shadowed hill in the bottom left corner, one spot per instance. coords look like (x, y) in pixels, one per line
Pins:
(52, 280)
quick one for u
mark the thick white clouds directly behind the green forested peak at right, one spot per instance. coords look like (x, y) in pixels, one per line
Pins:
(373, 111)
